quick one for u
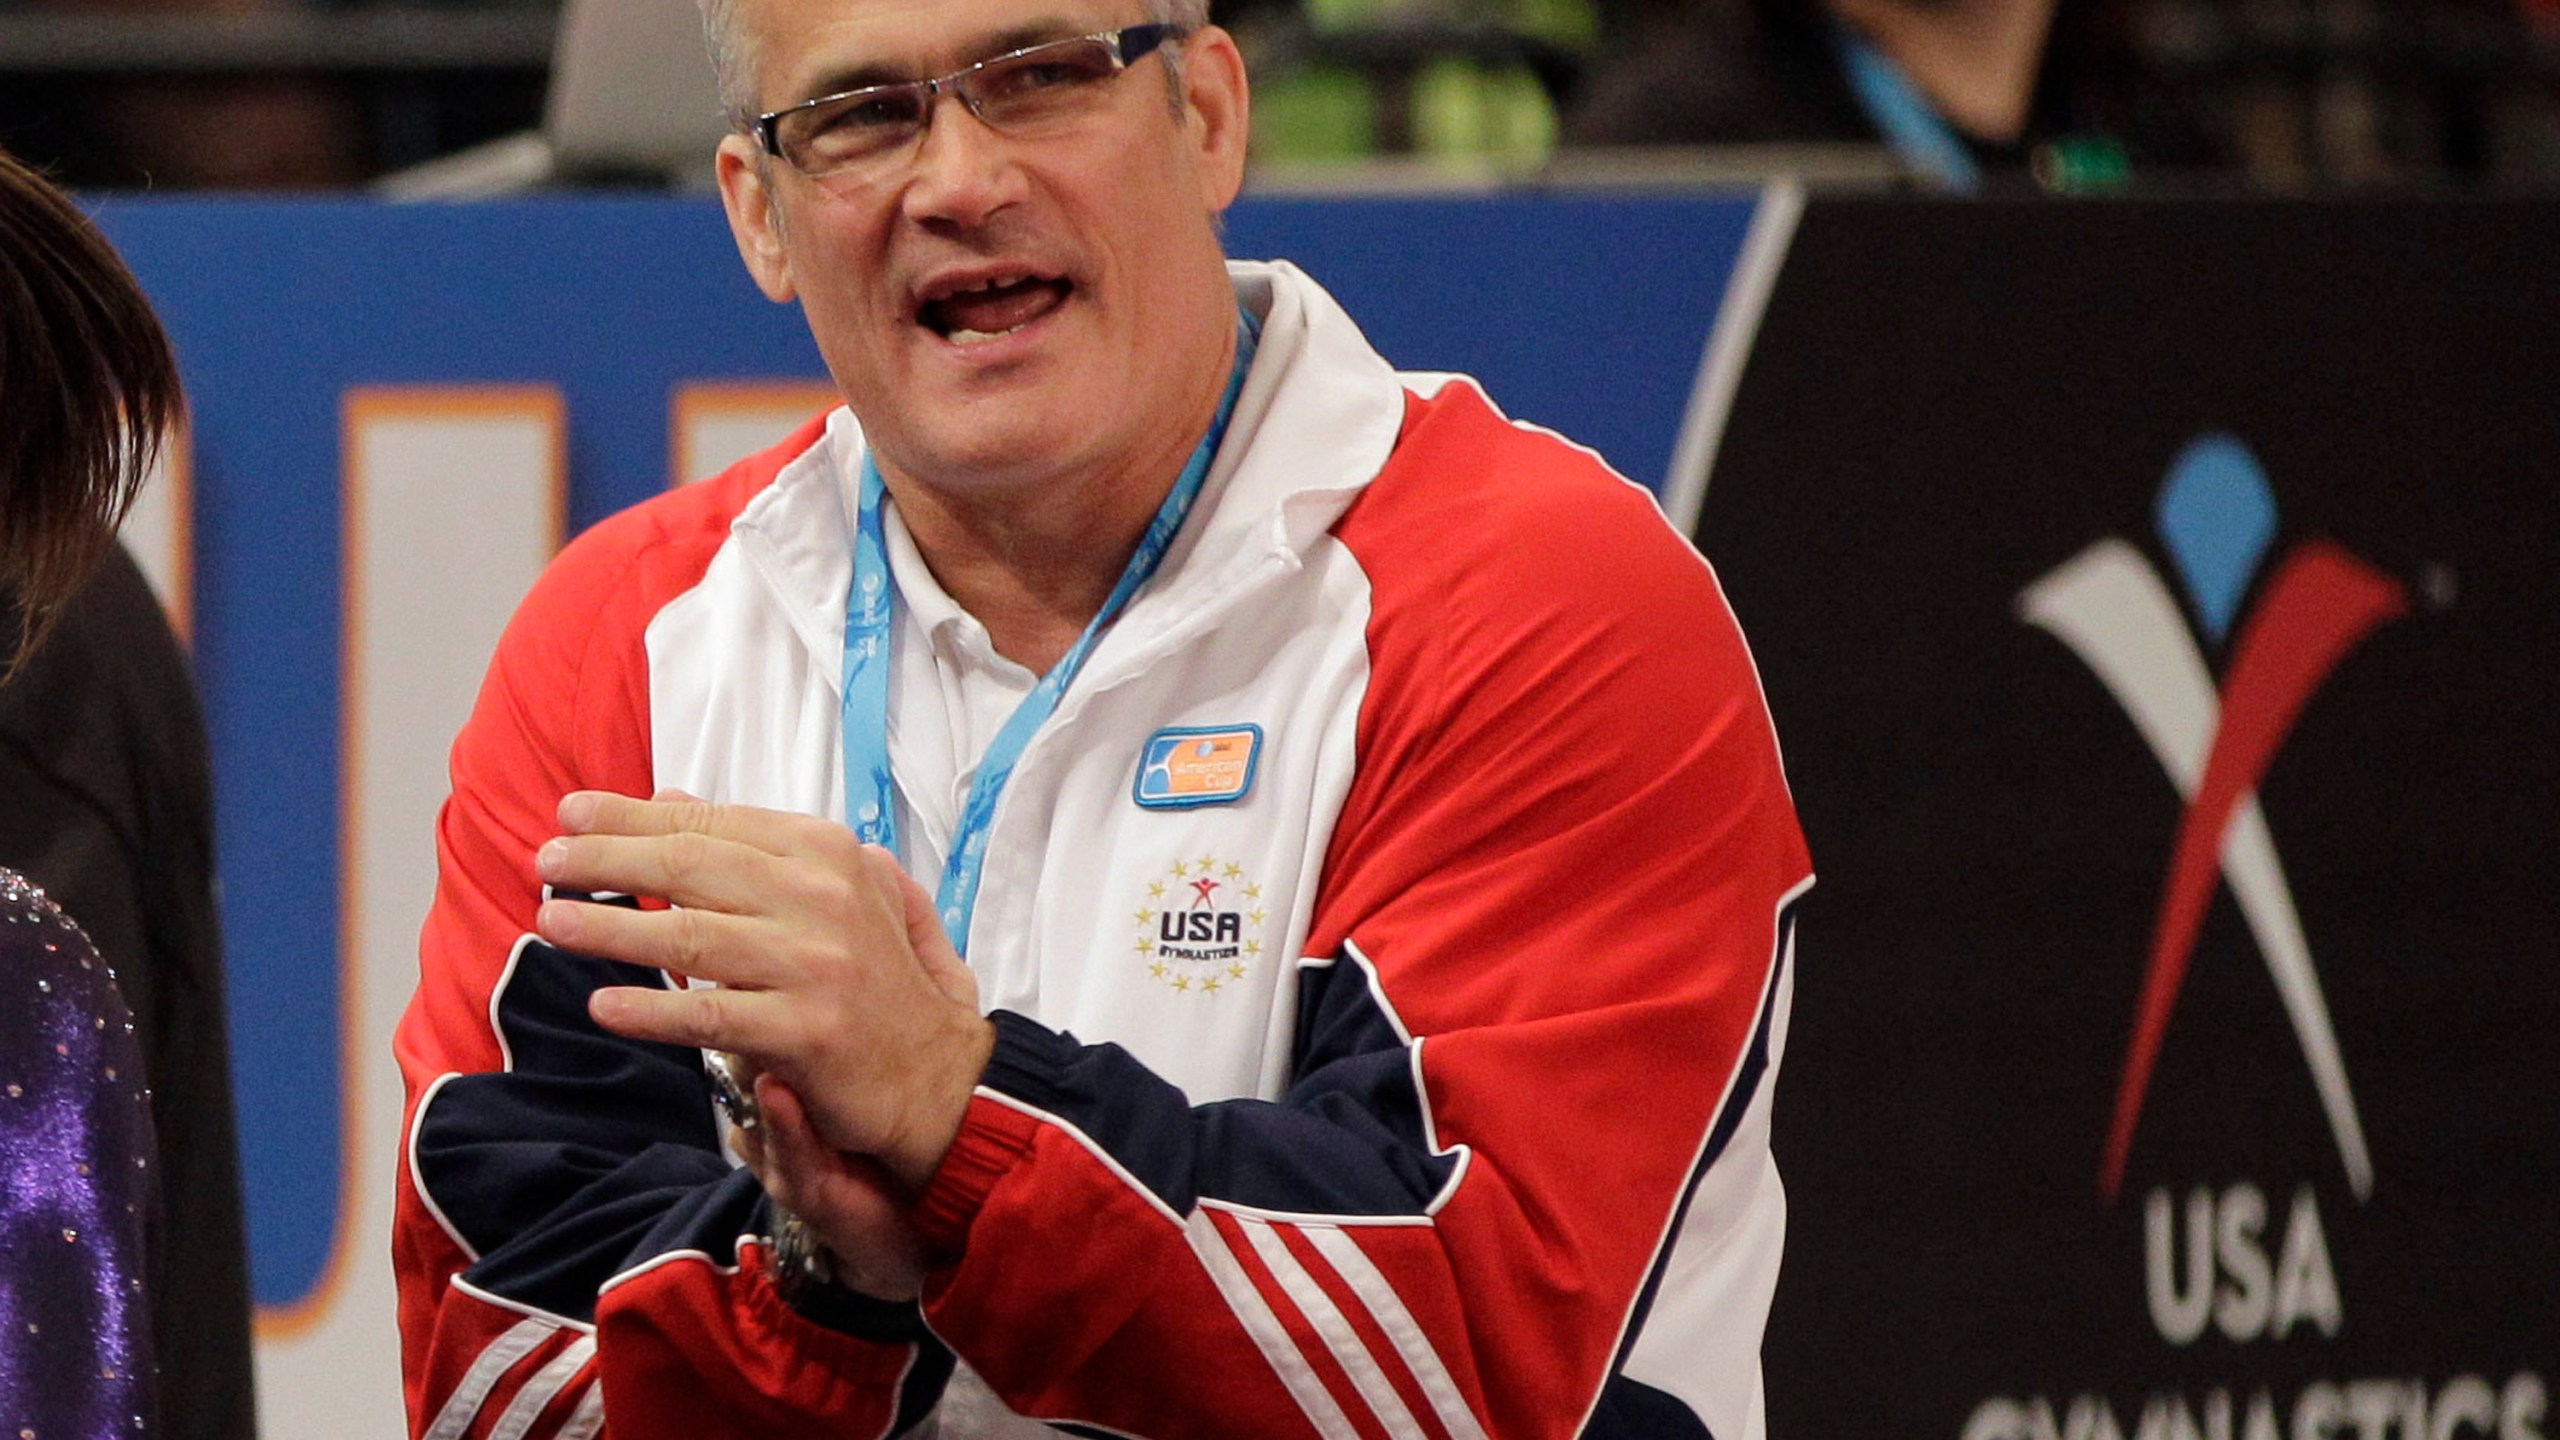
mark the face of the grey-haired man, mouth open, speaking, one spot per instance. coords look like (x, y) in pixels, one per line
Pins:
(1002, 311)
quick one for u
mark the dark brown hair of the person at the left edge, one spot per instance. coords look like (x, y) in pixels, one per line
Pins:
(88, 388)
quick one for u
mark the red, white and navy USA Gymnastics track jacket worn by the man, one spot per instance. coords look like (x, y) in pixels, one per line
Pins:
(1389, 947)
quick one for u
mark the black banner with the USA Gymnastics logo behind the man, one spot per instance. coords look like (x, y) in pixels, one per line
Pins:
(2159, 614)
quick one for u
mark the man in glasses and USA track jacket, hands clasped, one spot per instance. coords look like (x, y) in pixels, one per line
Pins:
(1358, 814)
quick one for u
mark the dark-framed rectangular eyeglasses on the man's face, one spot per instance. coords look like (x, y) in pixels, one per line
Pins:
(1020, 94)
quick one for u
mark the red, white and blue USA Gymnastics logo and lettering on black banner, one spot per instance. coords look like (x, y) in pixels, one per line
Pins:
(2282, 624)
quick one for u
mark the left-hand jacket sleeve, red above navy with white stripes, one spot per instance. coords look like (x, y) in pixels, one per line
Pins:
(575, 1252)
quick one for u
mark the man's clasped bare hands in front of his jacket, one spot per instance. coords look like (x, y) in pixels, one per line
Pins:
(836, 985)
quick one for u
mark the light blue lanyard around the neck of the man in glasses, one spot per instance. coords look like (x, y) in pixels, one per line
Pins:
(872, 801)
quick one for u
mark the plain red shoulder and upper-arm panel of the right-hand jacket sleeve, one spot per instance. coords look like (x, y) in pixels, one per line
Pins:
(1571, 857)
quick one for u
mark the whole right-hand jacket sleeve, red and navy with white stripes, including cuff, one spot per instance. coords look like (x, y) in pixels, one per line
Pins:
(1537, 998)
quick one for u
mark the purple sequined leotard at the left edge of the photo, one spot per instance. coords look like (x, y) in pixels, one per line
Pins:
(76, 1185)
